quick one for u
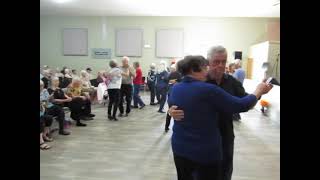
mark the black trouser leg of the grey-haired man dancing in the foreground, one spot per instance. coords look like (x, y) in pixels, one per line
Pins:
(227, 162)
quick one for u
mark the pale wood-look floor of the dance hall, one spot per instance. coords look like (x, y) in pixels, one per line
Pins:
(136, 148)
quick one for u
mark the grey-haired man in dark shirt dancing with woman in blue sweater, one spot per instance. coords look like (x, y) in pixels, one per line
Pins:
(217, 57)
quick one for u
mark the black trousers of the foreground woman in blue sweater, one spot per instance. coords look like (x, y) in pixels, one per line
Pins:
(190, 170)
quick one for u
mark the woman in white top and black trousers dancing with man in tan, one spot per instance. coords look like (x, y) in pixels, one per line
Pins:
(114, 89)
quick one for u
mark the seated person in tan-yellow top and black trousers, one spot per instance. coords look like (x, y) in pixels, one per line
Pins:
(80, 105)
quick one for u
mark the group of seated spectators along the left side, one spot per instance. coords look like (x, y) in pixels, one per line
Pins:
(53, 99)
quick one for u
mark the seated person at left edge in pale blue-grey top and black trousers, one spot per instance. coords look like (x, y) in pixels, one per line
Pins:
(52, 109)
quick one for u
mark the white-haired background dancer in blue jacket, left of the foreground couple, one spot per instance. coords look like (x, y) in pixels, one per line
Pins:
(162, 85)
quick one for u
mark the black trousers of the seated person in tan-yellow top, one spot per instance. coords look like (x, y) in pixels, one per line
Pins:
(78, 108)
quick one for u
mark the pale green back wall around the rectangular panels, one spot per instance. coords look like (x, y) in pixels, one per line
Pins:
(200, 34)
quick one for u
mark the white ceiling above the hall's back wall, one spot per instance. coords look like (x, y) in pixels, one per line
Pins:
(203, 8)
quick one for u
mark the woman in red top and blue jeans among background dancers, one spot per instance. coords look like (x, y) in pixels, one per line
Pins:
(137, 82)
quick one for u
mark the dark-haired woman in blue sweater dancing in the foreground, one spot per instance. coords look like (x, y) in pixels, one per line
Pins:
(197, 136)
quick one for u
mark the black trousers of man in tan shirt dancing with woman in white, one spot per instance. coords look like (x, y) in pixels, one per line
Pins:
(125, 91)
